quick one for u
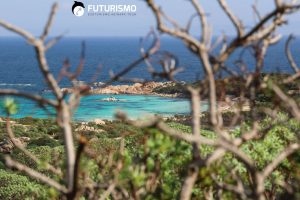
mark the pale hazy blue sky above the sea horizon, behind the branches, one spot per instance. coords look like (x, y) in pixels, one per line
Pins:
(32, 14)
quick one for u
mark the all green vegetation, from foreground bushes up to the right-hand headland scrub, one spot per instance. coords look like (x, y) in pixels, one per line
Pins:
(152, 161)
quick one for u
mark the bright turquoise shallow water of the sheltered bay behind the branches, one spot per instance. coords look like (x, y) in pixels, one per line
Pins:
(93, 107)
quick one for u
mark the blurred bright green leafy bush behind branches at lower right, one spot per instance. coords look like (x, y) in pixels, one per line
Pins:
(169, 158)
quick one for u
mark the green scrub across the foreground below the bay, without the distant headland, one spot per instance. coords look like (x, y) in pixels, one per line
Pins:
(148, 153)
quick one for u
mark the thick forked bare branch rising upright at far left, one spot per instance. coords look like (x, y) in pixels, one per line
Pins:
(63, 110)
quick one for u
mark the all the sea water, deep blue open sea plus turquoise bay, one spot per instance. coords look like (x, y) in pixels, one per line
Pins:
(19, 70)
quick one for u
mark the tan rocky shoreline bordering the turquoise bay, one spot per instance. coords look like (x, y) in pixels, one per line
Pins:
(159, 89)
